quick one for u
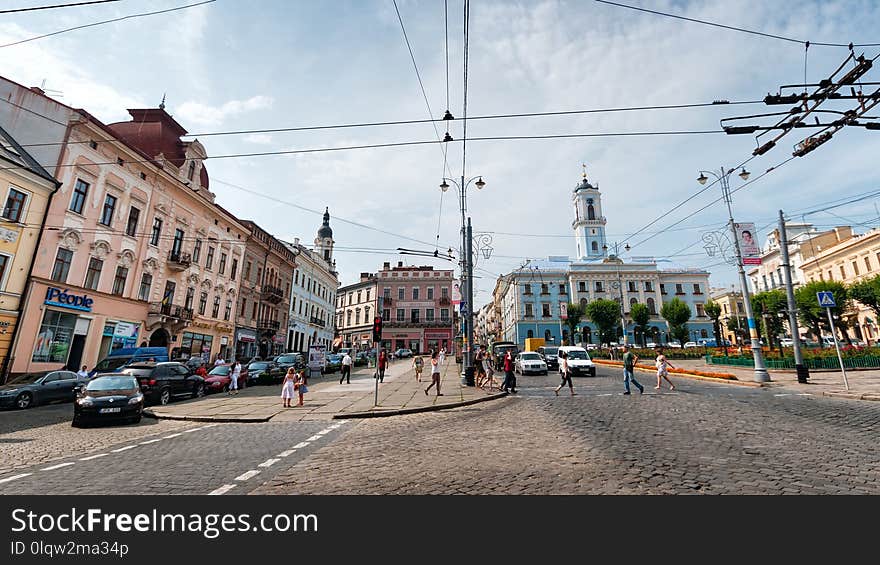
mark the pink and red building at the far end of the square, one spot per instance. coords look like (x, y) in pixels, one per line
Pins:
(416, 308)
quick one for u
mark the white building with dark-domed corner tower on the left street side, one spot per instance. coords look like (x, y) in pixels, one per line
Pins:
(313, 299)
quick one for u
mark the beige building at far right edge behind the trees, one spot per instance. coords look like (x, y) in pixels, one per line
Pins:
(850, 260)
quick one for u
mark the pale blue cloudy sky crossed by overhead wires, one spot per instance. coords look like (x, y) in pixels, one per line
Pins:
(231, 66)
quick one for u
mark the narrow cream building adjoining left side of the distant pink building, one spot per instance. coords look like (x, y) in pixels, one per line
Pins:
(356, 306)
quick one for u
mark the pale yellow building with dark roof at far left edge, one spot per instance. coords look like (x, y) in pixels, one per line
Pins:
(26, 189)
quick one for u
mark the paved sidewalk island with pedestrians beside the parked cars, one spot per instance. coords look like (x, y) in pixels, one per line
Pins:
(327, 399)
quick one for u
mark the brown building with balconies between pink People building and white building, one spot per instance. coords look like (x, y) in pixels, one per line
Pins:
(264, 301)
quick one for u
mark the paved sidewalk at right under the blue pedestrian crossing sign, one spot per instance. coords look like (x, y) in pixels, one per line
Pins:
(863, 385)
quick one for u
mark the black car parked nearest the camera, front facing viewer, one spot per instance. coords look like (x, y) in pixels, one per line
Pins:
(109, 398)
